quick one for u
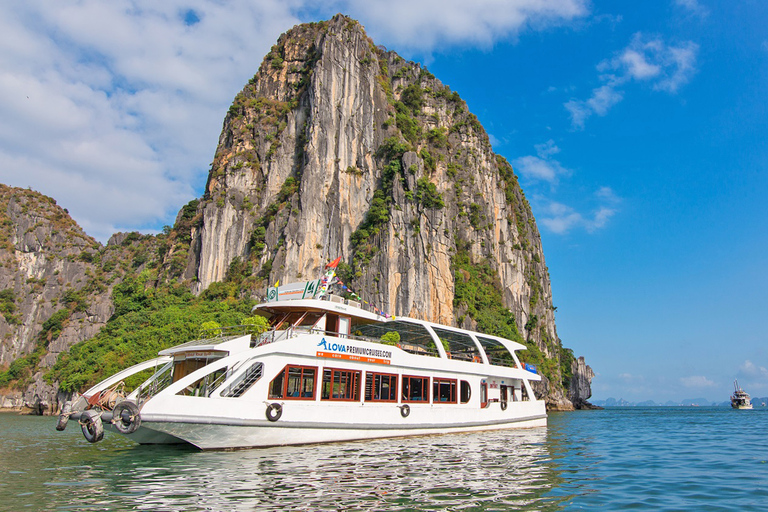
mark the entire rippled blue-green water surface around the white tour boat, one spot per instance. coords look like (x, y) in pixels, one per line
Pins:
(618, 459)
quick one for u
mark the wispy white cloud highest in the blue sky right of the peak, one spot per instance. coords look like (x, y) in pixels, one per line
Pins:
(648, 60)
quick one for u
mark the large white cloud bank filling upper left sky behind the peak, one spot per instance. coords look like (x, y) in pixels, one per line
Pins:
(115, 108)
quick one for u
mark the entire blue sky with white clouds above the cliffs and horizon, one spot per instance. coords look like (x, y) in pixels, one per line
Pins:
(638, 130)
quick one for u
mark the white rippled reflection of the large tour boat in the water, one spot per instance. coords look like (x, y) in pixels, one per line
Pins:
(502, 469)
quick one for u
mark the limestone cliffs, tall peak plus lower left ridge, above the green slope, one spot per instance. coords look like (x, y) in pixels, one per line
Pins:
(335, 148)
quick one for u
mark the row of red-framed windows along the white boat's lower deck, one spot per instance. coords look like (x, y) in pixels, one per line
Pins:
(300, 383)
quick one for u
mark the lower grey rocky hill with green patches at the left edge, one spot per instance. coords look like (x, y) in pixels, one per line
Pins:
(55, 291)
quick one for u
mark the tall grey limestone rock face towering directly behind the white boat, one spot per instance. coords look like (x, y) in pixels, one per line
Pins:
(337, 147)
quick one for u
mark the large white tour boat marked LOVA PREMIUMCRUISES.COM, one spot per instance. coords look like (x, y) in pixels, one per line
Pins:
(326, 370)
